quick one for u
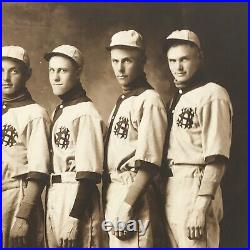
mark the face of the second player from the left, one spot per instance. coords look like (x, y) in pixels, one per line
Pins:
(63, 74)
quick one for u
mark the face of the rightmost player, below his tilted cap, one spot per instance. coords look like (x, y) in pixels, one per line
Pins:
(183, 61)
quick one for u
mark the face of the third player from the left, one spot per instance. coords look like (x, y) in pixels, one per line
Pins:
(127, 65)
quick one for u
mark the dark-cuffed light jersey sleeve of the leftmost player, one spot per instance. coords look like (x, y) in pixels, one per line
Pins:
(37, 148)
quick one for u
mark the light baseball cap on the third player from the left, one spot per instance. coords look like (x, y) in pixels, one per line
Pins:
(127, 38)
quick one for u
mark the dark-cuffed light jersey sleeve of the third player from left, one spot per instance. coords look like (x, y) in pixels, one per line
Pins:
(151, 135)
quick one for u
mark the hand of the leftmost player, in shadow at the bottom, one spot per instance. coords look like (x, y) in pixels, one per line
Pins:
(18, 233)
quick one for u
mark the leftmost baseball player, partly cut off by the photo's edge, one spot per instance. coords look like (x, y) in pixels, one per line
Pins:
(25, 154)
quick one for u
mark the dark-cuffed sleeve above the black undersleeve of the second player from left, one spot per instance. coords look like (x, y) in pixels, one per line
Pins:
(89, 148)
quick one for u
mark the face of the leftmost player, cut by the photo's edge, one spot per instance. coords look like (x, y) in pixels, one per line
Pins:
(14, 76)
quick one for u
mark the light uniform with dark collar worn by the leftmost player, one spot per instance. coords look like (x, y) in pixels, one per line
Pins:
(25, 153)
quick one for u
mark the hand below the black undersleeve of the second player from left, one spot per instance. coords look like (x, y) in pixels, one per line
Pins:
(69, 233)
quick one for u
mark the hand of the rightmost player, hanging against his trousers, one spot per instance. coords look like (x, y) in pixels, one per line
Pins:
(195, 225)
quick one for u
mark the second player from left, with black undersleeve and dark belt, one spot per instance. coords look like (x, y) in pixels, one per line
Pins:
(73, 207)
